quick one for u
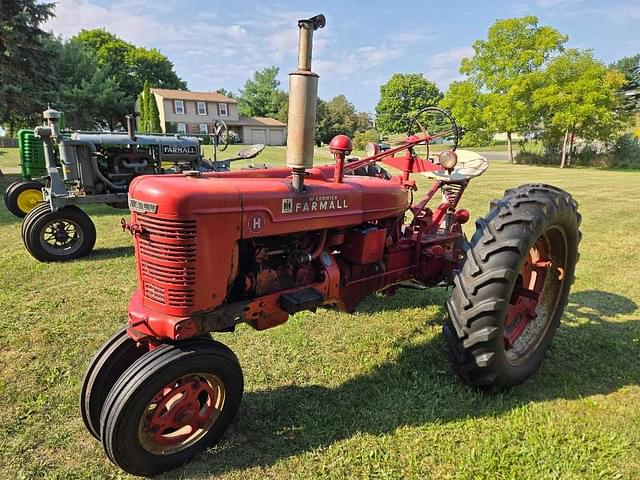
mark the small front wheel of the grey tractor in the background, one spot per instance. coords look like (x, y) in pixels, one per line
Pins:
(58, 236)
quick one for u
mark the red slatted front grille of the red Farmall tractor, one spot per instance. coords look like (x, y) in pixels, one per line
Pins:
(167, 251)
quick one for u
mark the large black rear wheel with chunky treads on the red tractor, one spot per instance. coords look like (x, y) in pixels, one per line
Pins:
(490, 342)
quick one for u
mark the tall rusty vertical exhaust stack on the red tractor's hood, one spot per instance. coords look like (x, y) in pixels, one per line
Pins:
(303, 100)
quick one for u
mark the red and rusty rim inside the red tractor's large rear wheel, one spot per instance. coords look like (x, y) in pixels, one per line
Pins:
(534, 297)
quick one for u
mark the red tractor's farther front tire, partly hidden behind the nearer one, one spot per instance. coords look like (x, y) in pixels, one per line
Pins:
(108, 364)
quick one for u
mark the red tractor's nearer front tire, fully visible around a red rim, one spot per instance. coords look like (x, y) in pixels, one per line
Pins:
(138, 396)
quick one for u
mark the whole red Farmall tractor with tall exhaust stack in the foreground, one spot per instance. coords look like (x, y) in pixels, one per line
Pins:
(217, 249)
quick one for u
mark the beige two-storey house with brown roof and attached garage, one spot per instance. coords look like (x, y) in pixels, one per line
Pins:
(193, 113)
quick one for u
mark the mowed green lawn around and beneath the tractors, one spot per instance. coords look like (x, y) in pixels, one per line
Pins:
(331, 395)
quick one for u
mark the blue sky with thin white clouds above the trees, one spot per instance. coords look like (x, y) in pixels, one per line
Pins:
(219, 44)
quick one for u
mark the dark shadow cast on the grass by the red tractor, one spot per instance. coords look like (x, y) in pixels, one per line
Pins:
(418, 388)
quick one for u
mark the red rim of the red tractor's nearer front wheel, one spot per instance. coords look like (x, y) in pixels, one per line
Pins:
(181, 413)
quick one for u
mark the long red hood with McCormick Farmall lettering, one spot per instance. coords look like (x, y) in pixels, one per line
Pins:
(266, 200)
